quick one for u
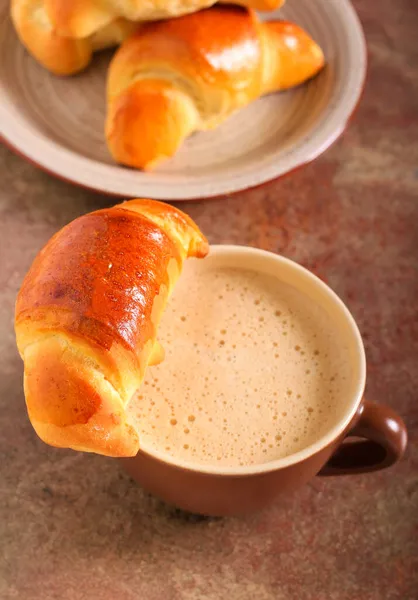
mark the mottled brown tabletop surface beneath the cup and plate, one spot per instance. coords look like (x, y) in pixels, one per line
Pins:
(74, 527)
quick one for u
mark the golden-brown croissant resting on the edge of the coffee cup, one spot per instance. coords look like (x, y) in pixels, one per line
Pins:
(86, 320)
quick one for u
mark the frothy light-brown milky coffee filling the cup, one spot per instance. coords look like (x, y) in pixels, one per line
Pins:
(252, 372)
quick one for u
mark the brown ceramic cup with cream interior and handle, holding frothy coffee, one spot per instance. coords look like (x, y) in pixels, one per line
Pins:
(363, 437)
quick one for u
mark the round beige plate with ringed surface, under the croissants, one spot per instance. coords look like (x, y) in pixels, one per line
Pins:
(58, 122)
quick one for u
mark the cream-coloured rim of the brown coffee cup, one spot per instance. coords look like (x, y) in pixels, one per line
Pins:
(325, 440)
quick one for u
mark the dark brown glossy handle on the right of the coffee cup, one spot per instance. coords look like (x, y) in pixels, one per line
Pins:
(384, 441)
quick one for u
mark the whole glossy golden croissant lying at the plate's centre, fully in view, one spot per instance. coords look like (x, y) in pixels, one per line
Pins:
(178, 76)
